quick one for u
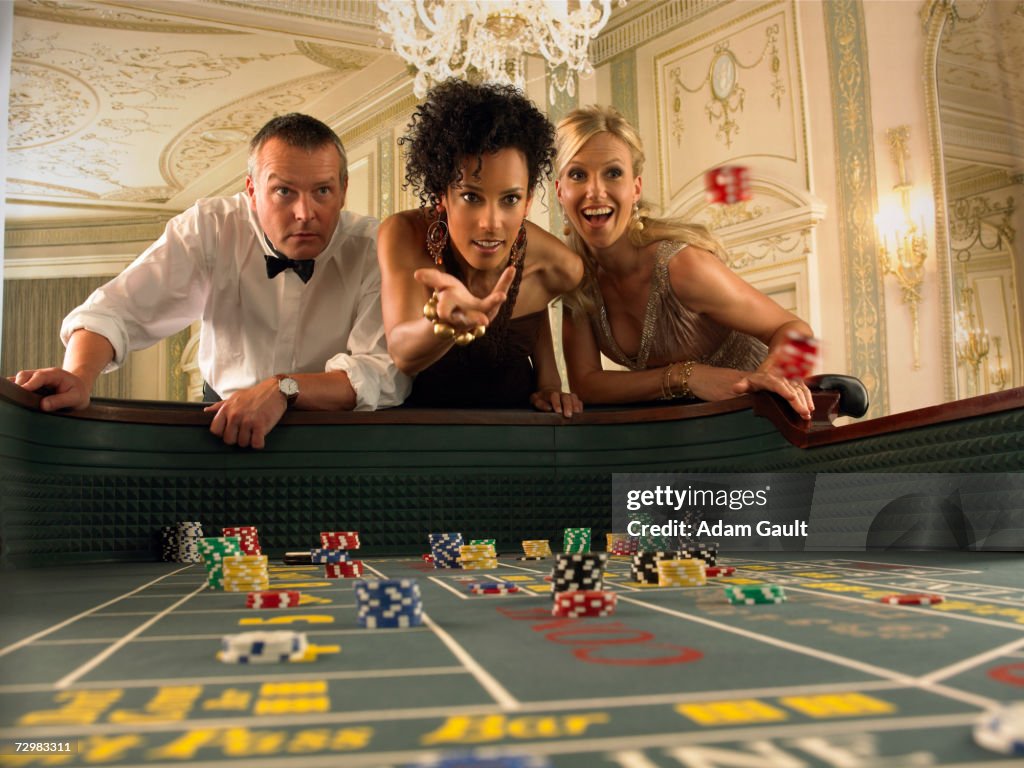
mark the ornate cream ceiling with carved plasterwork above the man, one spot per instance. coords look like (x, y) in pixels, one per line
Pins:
(112, 105)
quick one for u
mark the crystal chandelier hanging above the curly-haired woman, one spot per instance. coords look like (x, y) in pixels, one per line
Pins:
(488, 40)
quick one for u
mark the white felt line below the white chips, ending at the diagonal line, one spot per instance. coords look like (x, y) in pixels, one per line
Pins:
(267, 676)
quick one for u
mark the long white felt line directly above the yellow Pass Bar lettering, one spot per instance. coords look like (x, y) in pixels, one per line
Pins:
(426, 713)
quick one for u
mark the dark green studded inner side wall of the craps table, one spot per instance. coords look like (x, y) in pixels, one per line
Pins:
(97, 485)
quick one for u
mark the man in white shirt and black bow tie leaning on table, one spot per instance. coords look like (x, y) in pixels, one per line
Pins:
(286, 284)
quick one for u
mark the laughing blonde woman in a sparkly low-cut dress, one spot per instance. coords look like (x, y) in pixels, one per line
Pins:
(657, 296)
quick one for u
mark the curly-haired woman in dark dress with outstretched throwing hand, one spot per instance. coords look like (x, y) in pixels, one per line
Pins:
(470, 262)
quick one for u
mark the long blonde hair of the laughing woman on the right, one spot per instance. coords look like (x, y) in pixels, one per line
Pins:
(575, 131)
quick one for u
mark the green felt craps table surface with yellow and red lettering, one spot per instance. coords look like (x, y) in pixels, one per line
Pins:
(118, 661)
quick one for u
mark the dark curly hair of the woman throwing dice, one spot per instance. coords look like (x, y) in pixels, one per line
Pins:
(460, 119)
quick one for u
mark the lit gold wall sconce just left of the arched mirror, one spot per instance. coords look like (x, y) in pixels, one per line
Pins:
(903, 246)
